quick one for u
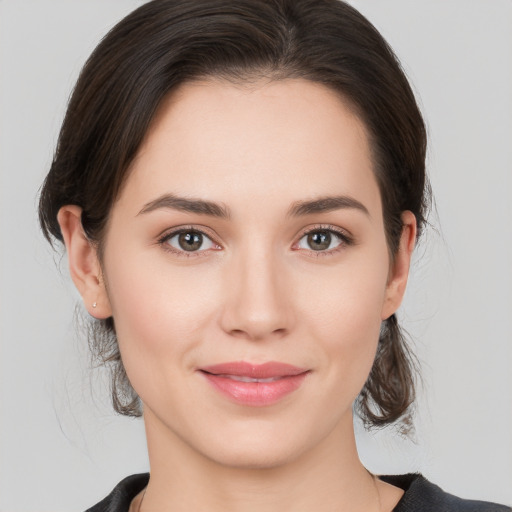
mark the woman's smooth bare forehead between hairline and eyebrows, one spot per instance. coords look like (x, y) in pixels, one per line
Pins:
(291, 139)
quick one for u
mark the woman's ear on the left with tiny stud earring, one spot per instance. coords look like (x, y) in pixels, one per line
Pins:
(84, 265)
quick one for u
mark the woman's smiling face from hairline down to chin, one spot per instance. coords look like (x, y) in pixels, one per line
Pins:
(250, 230)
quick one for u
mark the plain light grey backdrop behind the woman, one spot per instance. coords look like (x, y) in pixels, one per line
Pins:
(61, 446)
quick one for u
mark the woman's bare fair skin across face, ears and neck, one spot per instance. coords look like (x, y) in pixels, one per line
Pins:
(257, 292)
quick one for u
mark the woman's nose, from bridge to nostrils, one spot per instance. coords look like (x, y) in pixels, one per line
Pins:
(258, 301)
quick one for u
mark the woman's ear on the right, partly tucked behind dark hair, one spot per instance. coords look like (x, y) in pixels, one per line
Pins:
(399, 270)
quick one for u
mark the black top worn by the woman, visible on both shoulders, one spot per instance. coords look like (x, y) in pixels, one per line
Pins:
(420, 496)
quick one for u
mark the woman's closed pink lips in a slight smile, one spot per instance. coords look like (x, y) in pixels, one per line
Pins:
(256, 385)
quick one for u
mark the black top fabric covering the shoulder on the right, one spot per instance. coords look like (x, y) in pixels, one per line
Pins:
(423, 496)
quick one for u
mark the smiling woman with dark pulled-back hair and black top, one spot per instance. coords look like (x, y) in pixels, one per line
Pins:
(240, 186)
